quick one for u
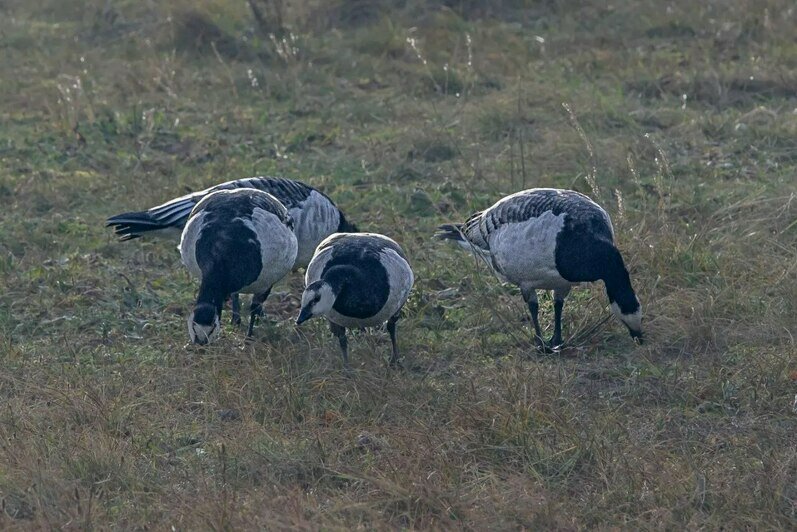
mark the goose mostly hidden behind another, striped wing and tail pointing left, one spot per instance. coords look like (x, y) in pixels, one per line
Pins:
(315, 216)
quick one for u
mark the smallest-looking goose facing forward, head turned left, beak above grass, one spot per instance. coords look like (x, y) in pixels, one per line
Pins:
(357, 280)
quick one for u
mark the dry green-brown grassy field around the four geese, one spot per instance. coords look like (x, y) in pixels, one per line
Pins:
(680, 117)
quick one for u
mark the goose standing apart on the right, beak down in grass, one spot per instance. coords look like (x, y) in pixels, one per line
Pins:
(551, 239)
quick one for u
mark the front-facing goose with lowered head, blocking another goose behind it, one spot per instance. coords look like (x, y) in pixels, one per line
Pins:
(238, 240)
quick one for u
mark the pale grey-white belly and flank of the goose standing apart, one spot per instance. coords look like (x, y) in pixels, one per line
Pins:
(525, 252)
